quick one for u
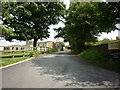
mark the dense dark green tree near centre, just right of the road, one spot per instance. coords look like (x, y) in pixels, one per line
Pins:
(78, 28)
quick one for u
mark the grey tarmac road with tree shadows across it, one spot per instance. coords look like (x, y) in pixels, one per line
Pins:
(58, 70)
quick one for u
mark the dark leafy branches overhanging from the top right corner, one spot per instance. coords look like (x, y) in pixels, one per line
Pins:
(107, 16)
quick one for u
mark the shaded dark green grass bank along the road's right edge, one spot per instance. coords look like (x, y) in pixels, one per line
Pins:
(100, 59)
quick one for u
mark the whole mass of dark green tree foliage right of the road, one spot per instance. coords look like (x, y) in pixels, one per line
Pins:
(84, 21)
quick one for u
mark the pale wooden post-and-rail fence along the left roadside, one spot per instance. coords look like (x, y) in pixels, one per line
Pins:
(18, 51)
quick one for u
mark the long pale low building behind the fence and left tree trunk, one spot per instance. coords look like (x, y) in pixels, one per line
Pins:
(41, 46)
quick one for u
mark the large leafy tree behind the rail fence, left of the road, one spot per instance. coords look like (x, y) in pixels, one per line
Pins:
(30, 20)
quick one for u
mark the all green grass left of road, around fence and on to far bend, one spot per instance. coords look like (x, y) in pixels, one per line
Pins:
(6, 60)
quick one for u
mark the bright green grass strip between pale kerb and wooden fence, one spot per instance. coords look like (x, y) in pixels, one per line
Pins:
(11, 61)
